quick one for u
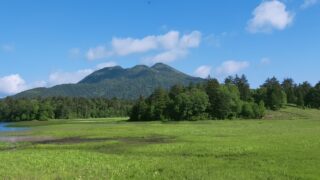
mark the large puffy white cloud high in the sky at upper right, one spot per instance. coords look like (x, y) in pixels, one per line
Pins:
(270, 15)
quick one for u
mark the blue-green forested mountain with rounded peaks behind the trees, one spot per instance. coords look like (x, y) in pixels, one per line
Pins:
(118, 82)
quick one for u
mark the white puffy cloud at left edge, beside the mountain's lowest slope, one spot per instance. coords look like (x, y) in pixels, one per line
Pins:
(12, 84)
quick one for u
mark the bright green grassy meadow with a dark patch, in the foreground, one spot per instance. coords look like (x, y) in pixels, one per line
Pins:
(285, 145)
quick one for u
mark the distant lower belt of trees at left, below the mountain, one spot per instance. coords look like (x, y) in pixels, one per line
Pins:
(62, 108)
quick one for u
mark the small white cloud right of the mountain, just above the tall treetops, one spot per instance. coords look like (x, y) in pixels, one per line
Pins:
(232, 67)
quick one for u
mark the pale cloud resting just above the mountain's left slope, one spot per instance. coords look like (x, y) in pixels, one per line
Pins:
(61, 77)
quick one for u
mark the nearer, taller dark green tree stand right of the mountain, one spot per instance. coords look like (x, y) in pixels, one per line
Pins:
(231, 99)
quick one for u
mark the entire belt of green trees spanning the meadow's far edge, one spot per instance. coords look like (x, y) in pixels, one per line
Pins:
(207, 100)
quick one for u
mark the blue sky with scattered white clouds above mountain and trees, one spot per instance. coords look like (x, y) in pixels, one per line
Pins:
(45, 43)
